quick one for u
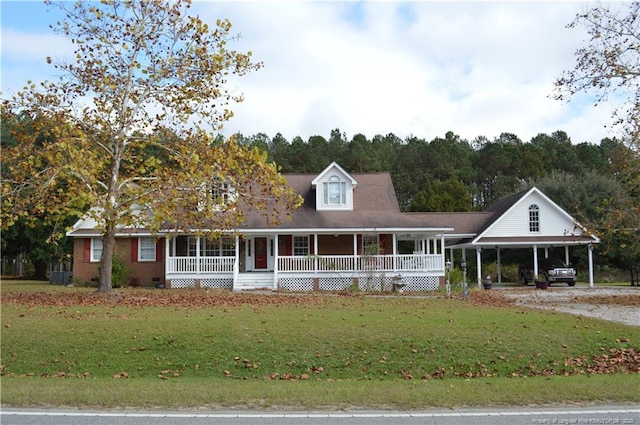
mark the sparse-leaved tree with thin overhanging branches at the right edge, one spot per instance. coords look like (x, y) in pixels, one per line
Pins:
(609, 67)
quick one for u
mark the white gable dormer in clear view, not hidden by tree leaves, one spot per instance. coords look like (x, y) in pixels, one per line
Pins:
(334, 189)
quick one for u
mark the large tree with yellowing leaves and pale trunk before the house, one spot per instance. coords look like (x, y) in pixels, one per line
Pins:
(130, 127)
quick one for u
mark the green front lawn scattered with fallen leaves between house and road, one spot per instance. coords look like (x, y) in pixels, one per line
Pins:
(342, 351)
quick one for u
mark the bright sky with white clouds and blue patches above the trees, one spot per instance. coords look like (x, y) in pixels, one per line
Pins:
(418, 68)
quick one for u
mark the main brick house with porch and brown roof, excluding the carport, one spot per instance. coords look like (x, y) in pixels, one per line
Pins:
(349, 231)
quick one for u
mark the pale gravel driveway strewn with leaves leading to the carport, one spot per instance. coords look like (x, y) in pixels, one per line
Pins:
(590, 302)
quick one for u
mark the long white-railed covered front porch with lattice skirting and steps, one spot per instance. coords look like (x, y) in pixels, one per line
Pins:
(305, 261)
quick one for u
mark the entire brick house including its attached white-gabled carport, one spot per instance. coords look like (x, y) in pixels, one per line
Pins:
(349, 232)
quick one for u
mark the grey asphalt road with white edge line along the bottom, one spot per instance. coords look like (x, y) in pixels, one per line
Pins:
(625, 415)
